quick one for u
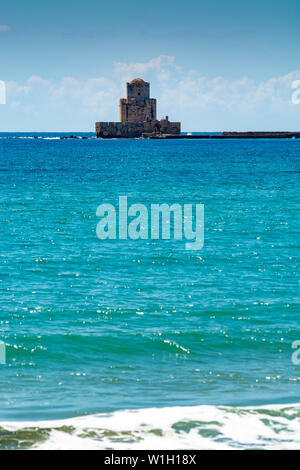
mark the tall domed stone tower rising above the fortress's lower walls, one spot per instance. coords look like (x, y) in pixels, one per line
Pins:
(138, 106)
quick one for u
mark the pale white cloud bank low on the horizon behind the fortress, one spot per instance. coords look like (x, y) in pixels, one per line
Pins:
(201, 103)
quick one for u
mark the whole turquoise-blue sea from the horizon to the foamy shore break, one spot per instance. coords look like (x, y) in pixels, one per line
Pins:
(123, 344)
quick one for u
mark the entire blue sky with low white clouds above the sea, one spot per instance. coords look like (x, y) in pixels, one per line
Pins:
(213, 65)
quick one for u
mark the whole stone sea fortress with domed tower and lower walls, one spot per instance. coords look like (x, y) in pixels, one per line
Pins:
(137, 116)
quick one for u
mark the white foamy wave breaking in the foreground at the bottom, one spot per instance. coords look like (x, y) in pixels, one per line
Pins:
(173, 428)
